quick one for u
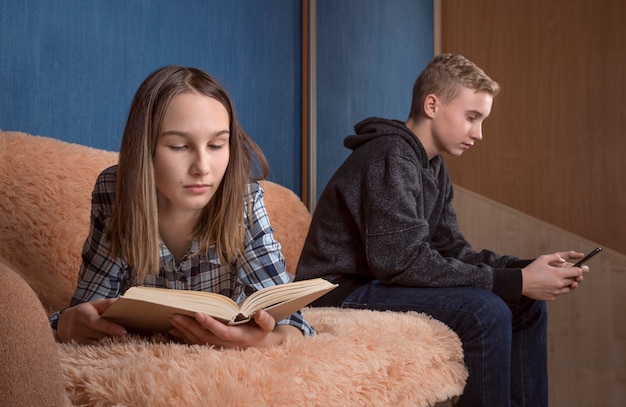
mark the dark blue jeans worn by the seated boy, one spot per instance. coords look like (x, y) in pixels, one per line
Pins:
(505, 346)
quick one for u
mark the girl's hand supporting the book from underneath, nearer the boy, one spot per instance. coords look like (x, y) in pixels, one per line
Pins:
(205, 330)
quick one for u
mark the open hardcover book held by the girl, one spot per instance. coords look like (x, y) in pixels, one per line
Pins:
(149, 309)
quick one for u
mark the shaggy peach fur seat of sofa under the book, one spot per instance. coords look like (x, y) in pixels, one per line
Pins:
(360, 358)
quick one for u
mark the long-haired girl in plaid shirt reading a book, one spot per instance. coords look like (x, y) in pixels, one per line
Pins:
(181, 210)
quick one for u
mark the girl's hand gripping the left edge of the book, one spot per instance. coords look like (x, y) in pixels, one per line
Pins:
(84, 324)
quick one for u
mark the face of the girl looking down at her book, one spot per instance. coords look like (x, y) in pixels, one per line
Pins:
(191, 154)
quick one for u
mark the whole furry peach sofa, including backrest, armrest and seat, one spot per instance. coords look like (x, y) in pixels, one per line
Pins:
(359, 358)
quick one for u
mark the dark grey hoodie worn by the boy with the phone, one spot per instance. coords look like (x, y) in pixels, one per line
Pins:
(387, 214)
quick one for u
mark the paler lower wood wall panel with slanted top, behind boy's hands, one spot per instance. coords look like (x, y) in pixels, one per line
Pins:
(586, 330)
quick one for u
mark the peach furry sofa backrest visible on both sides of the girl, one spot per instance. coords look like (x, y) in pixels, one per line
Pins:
(45, 201)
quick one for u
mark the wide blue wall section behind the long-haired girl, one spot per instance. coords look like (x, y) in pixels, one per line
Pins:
(69, 68)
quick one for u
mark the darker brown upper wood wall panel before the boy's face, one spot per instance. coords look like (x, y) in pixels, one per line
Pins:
(554, 144)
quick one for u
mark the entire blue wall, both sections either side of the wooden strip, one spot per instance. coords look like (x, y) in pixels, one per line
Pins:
(69, 68)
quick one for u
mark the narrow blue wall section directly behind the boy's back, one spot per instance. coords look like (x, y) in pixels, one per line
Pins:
(369, 53)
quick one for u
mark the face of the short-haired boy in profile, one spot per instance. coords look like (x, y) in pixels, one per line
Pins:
(456, 126)
